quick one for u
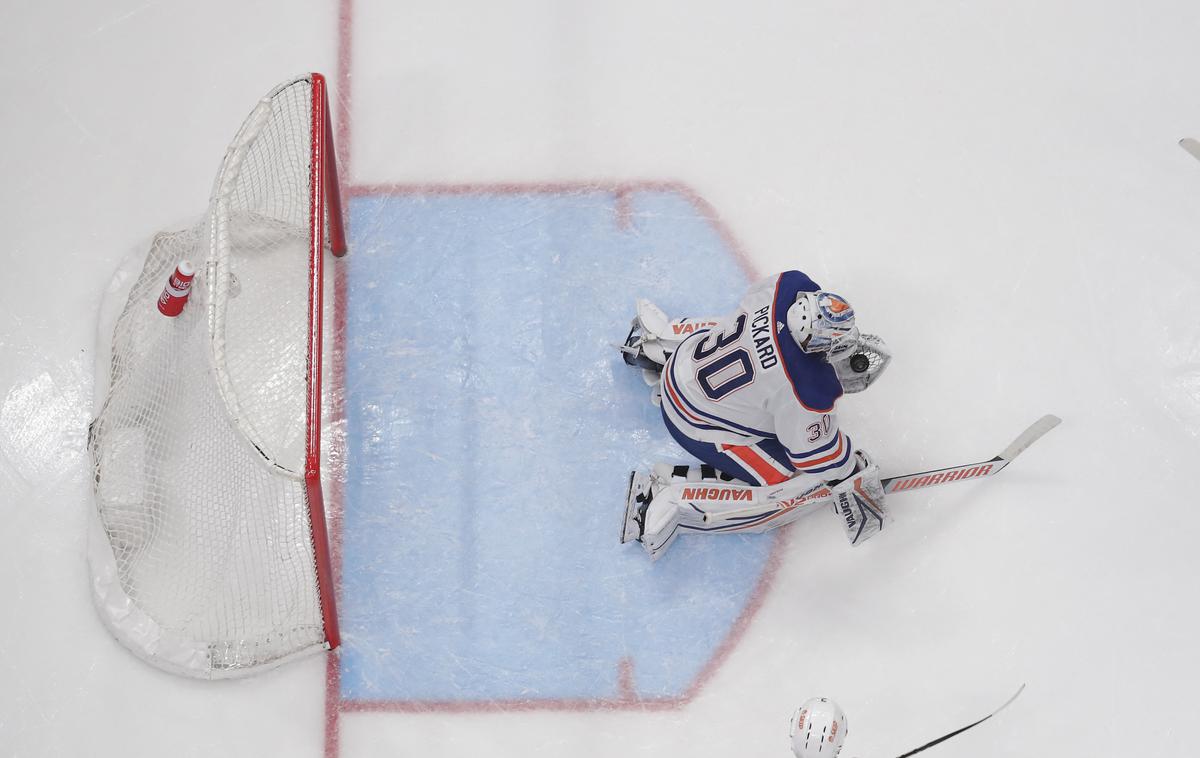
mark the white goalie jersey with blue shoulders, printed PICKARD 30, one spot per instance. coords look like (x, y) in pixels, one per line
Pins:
(745, 381)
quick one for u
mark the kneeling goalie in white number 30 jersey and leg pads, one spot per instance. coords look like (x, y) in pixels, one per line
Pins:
(753, 396)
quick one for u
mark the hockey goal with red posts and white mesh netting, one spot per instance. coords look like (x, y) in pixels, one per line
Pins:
(209, 554)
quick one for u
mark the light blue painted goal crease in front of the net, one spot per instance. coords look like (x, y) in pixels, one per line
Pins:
(491, 431)
